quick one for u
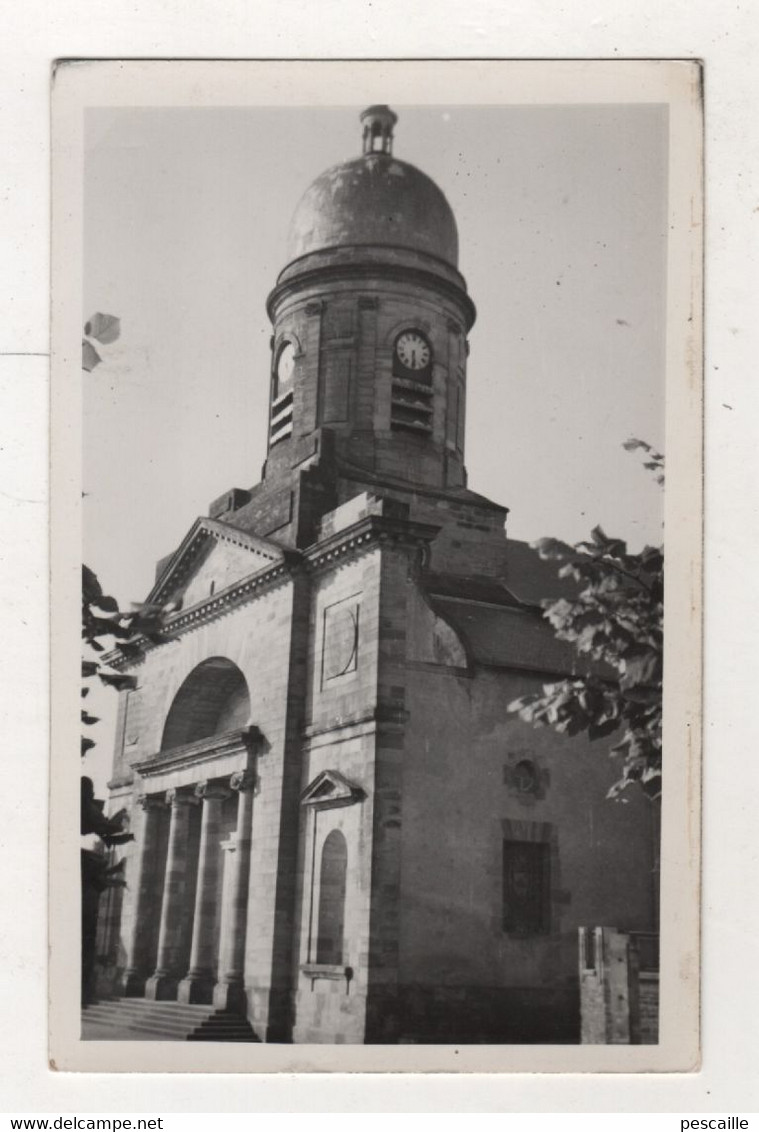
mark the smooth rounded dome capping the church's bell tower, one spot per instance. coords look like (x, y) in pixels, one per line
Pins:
(374, 200)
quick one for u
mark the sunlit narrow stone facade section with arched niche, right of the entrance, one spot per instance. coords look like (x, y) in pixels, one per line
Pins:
(339, 736)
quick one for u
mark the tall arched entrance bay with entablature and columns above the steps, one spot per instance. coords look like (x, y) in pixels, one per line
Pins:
(201, 768)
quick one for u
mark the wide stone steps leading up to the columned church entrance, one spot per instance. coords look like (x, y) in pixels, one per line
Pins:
(142, 1020)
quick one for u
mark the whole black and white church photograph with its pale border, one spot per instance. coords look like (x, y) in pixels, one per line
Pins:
(387, 407)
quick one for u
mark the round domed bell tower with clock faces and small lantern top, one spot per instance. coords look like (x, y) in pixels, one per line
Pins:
(371, 319)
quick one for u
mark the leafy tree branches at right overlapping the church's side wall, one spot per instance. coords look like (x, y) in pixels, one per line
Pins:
(616, 624)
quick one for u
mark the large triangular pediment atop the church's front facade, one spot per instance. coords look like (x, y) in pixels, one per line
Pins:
(211, 558)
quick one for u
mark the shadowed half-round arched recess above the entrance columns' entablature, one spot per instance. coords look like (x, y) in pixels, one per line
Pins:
(214, 700)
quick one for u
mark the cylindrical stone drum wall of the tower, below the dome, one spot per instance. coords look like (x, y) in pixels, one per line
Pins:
(344, 376)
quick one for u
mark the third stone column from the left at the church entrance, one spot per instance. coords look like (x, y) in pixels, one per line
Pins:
(198, 987)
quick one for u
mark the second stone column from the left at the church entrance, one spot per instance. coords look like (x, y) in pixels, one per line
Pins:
(163, 984)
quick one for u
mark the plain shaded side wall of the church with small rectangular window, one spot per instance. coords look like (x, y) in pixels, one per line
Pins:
(458, 797)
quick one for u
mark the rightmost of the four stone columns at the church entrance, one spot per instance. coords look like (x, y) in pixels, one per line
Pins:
(229, 993)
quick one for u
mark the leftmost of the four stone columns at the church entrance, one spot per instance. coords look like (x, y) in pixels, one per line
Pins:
(139, 962)
